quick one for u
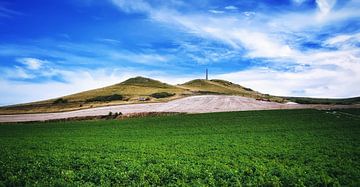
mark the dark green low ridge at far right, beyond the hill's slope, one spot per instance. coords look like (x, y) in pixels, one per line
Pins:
(307, 100)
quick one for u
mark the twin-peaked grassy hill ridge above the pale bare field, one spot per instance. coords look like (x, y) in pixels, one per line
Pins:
(143, 90)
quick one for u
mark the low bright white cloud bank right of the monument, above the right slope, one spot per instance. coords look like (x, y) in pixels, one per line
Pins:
(312, 83)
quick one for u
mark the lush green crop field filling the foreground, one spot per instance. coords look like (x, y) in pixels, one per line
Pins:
(290, 147)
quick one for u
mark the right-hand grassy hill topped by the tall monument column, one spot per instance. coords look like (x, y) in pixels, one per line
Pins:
(217, 86)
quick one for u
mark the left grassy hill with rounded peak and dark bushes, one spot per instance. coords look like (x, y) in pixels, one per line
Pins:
(133, 90)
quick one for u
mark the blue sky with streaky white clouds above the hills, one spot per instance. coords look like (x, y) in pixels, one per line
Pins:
(282, 47)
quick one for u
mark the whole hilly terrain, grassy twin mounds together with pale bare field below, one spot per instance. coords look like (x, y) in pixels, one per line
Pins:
(145, 91)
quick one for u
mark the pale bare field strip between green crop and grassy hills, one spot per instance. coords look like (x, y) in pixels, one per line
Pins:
(193, 104)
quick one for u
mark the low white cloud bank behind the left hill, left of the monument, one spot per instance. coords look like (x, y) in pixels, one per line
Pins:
(13, 92)
